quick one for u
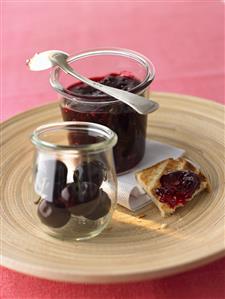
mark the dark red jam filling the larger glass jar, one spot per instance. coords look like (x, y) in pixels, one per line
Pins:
(127, 123)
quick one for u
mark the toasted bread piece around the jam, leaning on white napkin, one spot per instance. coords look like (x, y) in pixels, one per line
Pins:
(149, 180)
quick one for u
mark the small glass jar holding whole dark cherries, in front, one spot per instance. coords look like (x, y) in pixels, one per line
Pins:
(75, 181)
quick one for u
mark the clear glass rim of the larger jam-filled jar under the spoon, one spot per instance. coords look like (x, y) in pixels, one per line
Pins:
(150, 74)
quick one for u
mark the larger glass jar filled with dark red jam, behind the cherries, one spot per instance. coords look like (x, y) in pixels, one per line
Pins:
(119, 68)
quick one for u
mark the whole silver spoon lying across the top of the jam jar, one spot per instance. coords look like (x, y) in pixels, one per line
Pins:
(48, 59)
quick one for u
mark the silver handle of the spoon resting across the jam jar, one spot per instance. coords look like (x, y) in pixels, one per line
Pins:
(138, 103)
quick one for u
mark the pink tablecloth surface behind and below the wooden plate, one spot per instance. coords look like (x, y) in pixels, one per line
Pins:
(185, 40)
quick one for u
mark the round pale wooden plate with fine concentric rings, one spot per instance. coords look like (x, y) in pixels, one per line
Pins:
(134, 246)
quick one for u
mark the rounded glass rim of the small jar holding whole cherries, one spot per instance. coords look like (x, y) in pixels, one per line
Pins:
(109, 135)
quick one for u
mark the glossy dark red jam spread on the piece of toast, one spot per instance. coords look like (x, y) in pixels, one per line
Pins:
(177, 187)
